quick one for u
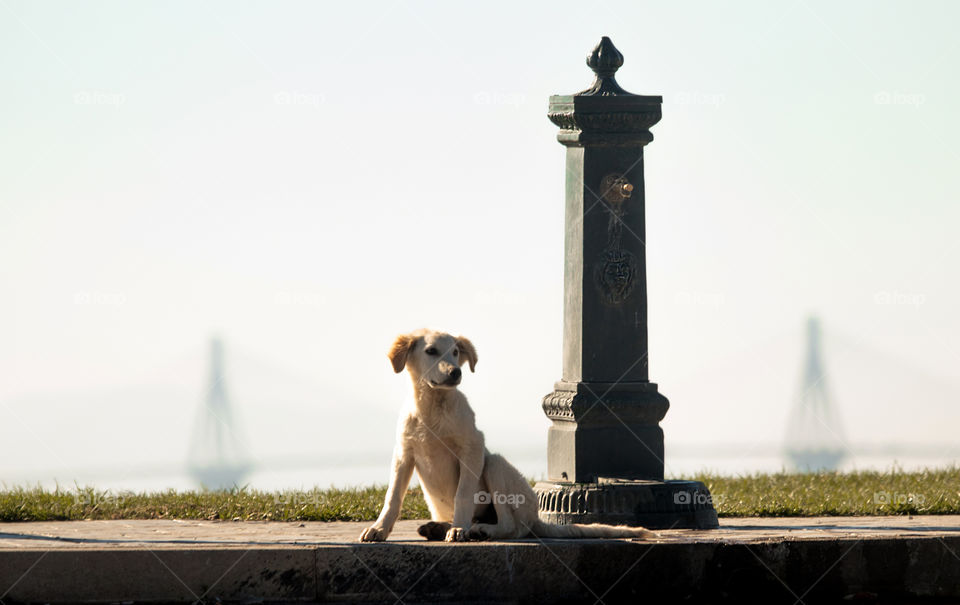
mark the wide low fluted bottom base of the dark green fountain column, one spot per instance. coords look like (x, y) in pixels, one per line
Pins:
(651, 504)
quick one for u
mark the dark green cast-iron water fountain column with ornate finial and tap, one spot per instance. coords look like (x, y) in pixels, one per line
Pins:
(605, 447)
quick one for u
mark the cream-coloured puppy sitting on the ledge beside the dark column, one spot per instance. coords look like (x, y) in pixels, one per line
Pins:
(471, 493)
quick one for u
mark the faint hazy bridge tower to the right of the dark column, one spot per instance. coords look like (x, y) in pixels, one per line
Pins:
(814, 439)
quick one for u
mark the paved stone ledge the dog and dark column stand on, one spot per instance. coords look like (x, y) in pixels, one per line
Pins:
(753, 560)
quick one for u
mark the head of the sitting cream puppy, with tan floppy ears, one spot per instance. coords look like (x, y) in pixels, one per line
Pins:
(432, 358)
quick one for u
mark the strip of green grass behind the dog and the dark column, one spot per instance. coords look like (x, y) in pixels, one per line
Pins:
(935, 491)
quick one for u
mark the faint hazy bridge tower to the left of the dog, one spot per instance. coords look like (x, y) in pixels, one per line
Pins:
(217, 459)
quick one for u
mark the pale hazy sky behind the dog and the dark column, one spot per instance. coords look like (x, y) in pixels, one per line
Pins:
(308, 179)
